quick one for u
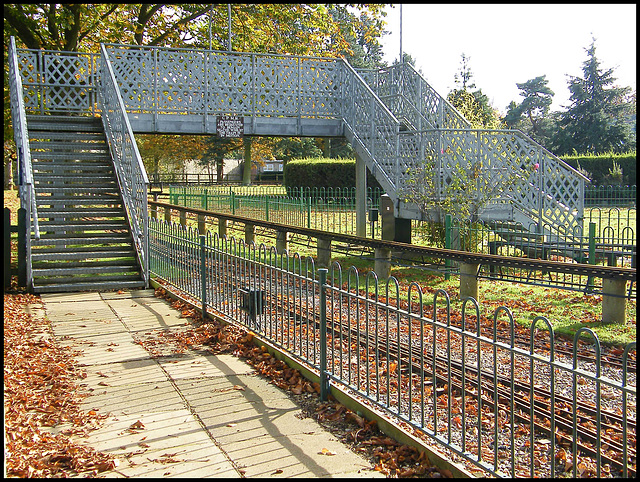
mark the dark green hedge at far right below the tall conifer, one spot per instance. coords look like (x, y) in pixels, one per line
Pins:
(600, 166)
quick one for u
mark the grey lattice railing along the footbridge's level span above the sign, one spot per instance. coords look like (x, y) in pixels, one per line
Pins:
(182, 81)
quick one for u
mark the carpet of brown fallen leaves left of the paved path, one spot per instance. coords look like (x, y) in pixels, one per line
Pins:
(42, 399)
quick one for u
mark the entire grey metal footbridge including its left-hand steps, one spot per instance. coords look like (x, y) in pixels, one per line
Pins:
(85, 188)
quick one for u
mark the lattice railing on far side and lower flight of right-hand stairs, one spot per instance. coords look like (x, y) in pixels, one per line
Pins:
(551, 193)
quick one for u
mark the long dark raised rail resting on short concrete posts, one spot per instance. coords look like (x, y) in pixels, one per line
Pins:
(605, 272)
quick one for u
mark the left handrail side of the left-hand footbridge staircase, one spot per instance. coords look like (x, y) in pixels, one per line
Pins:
(21, 137)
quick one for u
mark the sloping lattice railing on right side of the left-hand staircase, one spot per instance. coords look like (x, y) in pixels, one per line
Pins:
(129, 168)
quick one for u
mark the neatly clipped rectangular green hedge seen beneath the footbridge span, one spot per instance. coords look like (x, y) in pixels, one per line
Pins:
(323, 173)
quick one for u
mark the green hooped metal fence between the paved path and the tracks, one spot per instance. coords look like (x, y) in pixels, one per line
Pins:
(506, 401)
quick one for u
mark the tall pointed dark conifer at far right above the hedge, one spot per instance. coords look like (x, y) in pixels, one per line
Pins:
(596, 121)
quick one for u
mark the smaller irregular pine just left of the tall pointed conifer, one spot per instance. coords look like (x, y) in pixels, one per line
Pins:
(531, 115)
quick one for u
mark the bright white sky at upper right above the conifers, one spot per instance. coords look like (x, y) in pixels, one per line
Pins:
(513, 43)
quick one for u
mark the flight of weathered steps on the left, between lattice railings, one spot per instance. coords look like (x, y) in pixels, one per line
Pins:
(85, 241)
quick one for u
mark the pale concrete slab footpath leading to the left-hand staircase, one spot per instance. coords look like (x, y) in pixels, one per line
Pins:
(188, 415)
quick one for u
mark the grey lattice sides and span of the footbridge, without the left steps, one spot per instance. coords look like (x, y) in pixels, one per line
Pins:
(392, 117)
